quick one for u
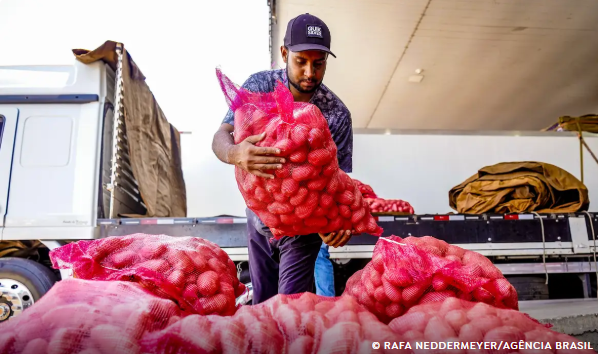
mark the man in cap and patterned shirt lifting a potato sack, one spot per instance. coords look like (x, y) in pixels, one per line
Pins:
(287, 266)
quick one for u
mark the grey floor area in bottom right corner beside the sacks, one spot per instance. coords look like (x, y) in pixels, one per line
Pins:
(578, 317)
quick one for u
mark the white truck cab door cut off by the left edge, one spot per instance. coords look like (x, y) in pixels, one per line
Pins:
(8, 128)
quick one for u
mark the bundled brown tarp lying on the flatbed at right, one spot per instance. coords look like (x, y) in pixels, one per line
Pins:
(516, 187)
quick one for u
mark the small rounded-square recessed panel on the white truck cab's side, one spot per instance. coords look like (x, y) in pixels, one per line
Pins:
(46, 141)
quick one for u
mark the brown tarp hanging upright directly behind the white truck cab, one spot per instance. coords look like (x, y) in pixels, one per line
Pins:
(154, 144)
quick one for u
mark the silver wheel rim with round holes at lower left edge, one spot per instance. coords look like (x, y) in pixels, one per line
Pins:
(15, 297)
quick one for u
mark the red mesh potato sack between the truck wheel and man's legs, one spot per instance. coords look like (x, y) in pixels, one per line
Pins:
(194, 272)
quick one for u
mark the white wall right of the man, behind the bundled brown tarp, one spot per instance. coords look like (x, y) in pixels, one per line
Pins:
(422, 168)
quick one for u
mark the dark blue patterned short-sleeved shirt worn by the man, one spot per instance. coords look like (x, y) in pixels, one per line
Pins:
(333, 109)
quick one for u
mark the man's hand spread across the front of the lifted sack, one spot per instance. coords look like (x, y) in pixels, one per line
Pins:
(254, 159)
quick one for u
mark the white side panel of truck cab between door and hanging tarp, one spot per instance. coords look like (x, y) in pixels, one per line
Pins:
(55, 193)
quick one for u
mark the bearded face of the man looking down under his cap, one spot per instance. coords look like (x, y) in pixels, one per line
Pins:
(305, 69)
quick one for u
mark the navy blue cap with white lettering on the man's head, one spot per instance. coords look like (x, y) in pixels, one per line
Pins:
(307, 32)
